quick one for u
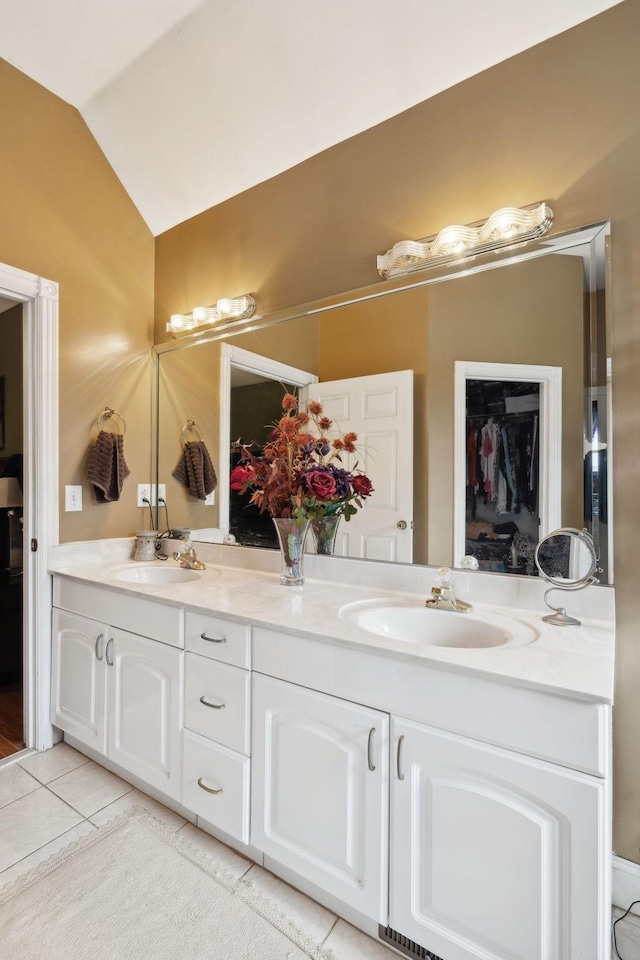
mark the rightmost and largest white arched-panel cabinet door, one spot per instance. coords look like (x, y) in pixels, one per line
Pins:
(495, 855)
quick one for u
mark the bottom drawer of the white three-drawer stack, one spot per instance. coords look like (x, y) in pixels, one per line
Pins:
(208, 766)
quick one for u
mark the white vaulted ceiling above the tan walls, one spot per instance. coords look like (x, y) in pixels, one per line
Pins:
(194, 101)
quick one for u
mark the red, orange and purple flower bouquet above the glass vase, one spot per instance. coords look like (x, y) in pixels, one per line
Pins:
(299, 473)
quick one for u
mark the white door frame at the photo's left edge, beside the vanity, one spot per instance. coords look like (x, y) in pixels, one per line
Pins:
(39, 297)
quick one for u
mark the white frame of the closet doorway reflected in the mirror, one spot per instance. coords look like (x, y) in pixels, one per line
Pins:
(550, 443)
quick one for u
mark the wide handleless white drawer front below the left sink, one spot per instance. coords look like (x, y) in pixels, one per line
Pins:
(148, 618)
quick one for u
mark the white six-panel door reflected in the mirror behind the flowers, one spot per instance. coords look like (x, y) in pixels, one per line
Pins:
(380, 410)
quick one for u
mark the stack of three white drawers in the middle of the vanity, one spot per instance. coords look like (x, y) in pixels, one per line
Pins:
(216, 764)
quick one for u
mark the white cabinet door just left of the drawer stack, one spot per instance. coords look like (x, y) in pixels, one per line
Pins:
(144, 694)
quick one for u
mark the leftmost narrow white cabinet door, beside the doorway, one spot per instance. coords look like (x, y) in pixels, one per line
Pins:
(78, 680)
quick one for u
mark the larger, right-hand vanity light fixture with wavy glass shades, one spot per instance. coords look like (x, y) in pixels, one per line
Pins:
(504, 228)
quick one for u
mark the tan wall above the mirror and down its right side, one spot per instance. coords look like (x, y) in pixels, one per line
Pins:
(558, 122)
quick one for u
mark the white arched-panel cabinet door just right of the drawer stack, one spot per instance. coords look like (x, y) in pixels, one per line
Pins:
(320, 791)
